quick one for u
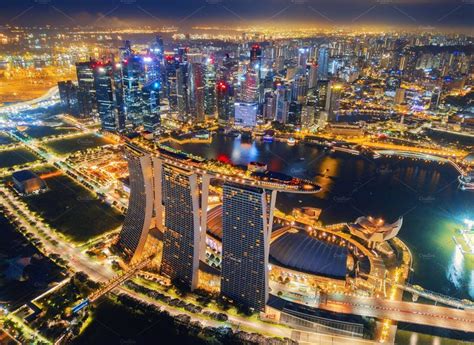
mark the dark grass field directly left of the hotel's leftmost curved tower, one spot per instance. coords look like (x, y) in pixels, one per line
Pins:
(73, 210)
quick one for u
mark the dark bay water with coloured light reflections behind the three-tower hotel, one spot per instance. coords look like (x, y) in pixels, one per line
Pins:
(353, 186)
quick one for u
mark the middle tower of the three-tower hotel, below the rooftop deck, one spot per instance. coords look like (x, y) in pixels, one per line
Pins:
(181, 238)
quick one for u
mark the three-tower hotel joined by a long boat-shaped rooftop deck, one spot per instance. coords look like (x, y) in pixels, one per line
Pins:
(169, 191)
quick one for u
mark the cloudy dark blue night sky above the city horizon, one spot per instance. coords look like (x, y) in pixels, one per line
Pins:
(415, 13)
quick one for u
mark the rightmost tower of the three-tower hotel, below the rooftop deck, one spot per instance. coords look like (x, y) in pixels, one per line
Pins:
(246, 230)
